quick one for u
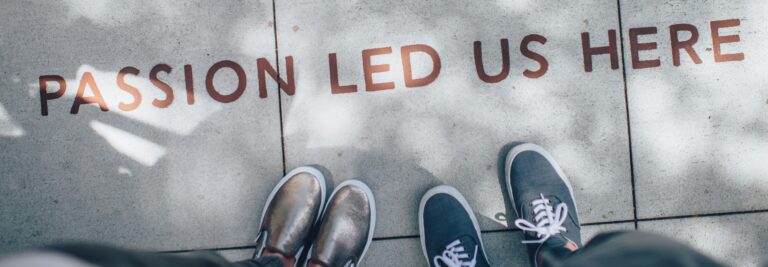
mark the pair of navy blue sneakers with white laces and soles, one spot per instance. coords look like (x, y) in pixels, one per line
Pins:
(542, 199)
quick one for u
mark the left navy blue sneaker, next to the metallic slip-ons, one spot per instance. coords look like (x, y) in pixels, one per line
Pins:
(450, 235)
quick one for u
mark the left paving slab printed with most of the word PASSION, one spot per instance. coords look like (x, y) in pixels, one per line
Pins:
(181, 177)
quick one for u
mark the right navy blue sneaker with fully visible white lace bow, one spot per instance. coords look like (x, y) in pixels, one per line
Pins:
(543, 199)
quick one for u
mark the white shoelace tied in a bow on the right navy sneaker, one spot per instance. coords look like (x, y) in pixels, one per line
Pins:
(549, 221)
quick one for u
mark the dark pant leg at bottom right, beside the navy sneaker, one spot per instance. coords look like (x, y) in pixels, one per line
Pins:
(630, 249)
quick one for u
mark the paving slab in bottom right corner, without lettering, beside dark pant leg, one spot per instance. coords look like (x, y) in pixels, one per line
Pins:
(736, 240)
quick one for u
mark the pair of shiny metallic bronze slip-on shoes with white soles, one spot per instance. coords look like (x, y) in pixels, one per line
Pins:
(296, 216)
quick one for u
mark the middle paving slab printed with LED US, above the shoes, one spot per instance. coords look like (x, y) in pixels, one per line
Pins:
(403, 141)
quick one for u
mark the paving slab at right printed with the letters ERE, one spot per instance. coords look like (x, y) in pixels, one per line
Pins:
(699, 130)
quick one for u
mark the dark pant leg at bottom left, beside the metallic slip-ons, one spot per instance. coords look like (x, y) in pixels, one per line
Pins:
(101, 255)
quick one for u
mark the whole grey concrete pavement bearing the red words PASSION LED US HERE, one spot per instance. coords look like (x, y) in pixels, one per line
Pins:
(196, 177)
